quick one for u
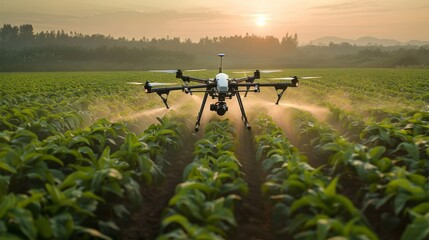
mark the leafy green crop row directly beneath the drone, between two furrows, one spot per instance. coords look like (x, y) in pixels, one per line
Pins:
(203, 205)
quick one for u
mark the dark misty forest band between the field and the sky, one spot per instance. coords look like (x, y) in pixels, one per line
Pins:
(23, 49)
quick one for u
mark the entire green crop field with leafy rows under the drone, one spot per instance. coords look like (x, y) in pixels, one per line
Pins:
(84, 155)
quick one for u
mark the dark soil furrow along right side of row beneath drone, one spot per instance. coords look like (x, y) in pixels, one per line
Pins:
(253, 212)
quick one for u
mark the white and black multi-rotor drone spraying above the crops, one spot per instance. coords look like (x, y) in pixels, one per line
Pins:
(221, 87)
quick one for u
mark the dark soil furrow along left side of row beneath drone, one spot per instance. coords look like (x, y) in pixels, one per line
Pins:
(145, 223)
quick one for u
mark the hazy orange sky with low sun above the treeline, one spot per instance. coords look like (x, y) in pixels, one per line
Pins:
(401, 20)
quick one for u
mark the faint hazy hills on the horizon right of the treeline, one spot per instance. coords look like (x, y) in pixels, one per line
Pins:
(365, 41)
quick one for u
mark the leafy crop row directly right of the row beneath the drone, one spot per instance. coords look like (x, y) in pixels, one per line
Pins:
(306, 204)
